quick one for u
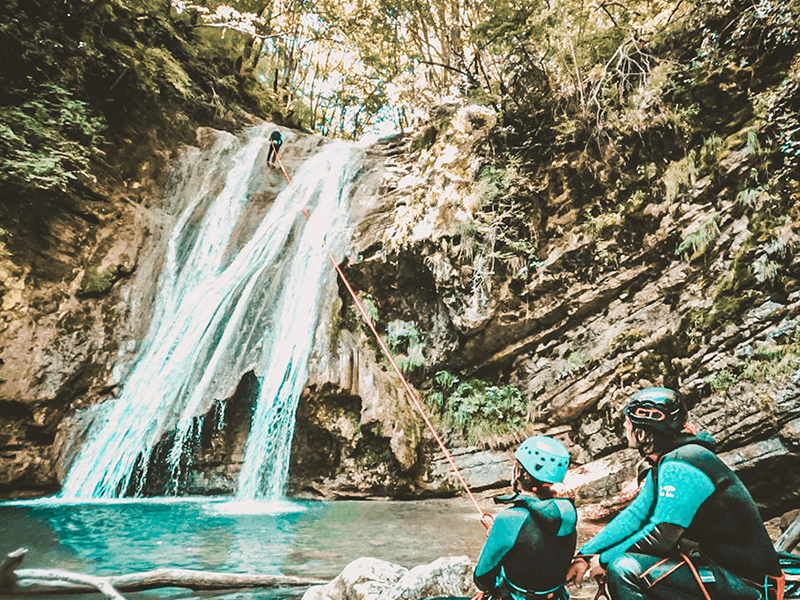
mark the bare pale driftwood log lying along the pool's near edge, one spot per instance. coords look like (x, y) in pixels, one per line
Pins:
(32, 582)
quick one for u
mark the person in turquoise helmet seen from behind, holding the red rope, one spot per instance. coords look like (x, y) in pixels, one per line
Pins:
(531, 544)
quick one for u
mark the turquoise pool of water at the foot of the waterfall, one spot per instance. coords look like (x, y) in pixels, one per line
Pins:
(314, 539)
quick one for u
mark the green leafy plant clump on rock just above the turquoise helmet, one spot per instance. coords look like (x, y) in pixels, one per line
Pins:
(477, 409)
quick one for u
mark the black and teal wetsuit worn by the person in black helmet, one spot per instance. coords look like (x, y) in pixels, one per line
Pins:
(691, 499)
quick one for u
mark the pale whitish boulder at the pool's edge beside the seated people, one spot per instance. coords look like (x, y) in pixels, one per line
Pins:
(375, 579)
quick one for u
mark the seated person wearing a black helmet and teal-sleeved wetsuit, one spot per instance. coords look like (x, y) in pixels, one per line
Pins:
(693, 531)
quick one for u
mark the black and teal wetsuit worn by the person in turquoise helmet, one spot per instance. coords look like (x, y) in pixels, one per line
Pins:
(529, 549)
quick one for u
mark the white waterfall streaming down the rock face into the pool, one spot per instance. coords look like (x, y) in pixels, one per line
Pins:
(226, 306)
